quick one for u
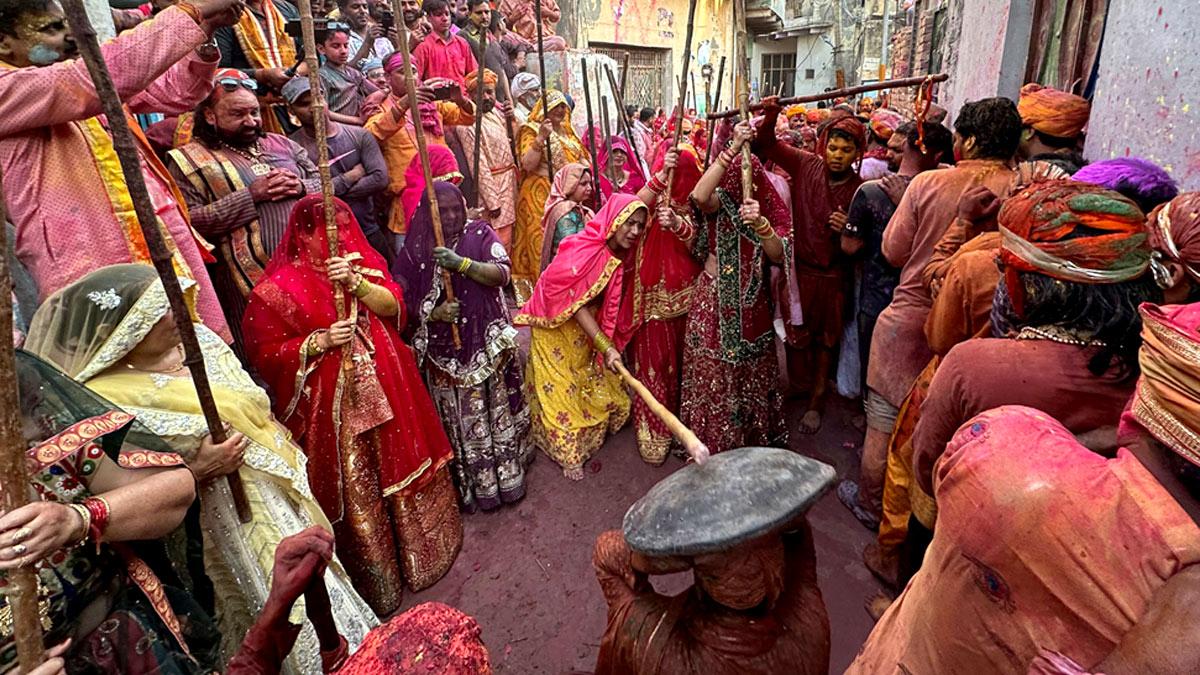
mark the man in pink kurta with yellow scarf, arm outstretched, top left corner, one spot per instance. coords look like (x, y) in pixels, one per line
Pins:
(67, 194)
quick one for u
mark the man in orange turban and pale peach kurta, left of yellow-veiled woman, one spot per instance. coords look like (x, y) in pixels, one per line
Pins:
(497, 182)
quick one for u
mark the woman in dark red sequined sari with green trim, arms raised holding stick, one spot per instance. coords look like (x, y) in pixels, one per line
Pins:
(731, 395)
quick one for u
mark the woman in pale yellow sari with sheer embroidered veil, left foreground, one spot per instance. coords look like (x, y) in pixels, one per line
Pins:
(113, 332)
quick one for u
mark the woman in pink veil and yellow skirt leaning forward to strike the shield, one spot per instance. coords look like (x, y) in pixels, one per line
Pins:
(575, 402)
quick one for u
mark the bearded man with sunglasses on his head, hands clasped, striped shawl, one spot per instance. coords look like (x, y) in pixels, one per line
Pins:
(241, 184)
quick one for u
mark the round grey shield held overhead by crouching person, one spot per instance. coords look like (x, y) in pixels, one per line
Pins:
(736, 497)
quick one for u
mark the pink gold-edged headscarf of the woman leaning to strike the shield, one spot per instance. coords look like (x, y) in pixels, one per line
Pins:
(584, 270)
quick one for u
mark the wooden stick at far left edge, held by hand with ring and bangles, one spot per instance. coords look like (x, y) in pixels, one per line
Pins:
(22, 593)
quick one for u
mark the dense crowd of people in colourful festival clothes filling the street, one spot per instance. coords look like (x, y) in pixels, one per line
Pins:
(1017, 322)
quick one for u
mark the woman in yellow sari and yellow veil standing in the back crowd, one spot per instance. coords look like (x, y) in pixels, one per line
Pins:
(554, 129)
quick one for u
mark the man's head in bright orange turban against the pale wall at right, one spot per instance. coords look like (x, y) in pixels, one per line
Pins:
(1054, 126)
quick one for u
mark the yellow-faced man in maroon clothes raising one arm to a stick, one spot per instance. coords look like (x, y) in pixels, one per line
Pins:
(823, 187)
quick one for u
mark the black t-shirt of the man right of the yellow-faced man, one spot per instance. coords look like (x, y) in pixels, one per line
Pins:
(868, 218)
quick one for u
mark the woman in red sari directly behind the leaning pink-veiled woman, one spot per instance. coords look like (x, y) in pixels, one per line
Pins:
(659, 296)
